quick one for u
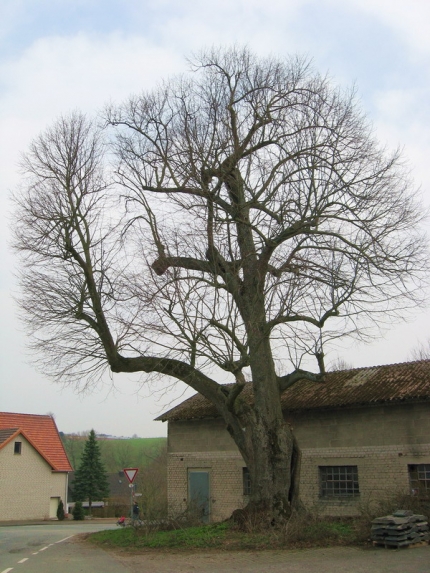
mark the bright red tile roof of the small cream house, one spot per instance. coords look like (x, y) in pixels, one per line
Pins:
(42, 433)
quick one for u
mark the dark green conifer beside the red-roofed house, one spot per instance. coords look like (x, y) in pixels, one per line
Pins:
(90, 479)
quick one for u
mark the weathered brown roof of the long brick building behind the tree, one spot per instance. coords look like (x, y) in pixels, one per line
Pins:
(409, 381)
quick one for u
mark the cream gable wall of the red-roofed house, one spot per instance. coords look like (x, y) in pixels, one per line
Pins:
(27, 483)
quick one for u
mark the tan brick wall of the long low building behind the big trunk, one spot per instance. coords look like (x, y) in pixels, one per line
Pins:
(381, 441)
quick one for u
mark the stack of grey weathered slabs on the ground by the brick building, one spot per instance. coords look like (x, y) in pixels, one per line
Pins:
(401, 529)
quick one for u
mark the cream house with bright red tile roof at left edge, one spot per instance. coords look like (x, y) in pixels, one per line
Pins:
(33, 467)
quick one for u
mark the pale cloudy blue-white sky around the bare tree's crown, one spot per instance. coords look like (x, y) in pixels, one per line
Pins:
(62, 55)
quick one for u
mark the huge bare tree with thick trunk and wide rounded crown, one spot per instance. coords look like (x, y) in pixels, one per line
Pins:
(239, 210)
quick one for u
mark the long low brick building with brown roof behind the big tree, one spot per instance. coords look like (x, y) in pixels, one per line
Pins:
(364, 433)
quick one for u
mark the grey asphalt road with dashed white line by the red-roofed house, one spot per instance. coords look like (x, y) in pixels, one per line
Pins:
(54, 548)
